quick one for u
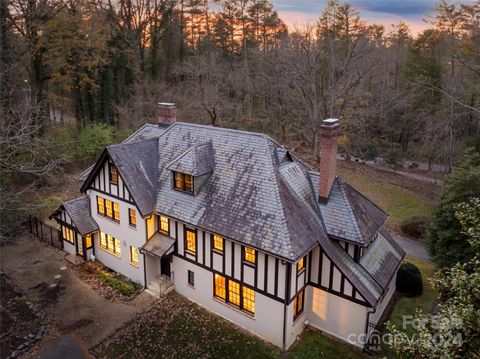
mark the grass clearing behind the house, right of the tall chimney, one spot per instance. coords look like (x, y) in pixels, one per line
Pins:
(398, 202)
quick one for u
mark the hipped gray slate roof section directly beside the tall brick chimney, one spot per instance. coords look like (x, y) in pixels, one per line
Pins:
(348, 214)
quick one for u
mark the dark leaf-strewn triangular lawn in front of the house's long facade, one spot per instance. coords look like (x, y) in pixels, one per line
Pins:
(177, 328)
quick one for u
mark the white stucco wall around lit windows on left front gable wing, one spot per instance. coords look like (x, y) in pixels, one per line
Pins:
(128, 236)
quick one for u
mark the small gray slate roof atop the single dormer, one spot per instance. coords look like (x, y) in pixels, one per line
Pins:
(196, 161)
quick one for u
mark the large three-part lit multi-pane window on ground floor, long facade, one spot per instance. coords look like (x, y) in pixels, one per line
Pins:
(234, 293)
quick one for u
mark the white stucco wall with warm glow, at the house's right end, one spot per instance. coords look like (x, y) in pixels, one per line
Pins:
(334, 315)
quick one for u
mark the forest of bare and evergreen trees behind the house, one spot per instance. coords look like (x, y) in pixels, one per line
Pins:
(79, 74)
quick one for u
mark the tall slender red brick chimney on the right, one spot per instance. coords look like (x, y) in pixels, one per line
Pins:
(329, 132)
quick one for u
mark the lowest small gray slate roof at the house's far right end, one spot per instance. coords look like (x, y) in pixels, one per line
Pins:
(382, 258)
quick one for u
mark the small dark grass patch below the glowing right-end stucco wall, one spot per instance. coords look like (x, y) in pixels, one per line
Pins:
(315, 345)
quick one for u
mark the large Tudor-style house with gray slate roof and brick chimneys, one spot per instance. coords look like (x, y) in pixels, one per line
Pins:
(236, 223)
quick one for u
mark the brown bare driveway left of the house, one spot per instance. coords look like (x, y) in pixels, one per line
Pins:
(71, 306)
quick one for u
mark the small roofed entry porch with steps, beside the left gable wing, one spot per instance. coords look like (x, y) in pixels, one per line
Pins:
(158, 256)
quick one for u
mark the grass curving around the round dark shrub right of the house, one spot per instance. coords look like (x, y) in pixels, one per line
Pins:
(425, 302)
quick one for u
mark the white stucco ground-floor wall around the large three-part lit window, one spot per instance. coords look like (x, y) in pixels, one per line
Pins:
(267, 322)
